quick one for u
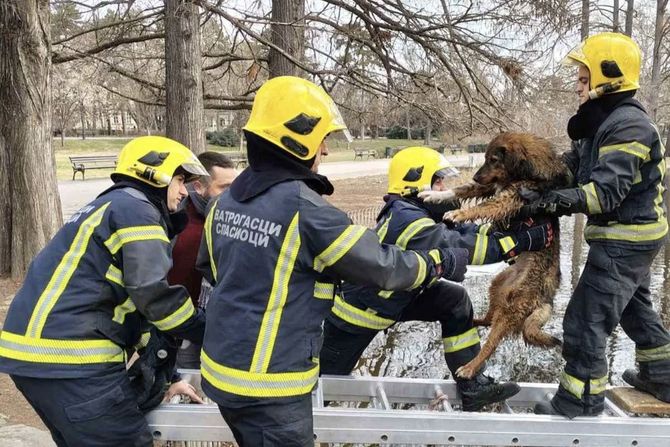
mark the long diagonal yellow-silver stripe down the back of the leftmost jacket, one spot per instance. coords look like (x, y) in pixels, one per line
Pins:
(63, 273)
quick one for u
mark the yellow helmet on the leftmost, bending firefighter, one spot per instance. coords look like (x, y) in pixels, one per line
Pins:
(154, 160)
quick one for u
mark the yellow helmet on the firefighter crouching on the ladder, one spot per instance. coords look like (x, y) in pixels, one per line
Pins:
(414, 167)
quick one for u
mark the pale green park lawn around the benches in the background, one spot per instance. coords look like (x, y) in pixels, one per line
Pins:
(339, 151)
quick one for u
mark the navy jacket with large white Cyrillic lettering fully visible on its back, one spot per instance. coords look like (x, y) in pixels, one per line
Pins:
(276, 259)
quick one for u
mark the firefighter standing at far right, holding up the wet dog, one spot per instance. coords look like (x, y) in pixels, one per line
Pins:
(618, 165)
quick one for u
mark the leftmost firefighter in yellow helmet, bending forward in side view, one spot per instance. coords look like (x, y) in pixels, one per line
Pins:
(87, 294)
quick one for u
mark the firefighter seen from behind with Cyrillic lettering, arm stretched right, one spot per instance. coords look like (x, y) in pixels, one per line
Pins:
(277, 251)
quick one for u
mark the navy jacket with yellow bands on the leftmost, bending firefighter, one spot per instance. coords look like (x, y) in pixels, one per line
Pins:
(88, 291)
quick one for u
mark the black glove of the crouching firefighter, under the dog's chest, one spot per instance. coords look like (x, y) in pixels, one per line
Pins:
(527, 235)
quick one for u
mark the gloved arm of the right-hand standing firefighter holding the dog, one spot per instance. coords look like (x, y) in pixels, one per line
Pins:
(620, 157)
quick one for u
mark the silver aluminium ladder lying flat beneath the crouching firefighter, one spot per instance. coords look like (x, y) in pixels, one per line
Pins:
(421, 411)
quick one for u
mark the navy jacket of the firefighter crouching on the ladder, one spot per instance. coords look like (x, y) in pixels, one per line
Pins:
(360, 309)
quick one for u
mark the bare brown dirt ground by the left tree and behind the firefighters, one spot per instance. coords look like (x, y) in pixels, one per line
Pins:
(350, 195)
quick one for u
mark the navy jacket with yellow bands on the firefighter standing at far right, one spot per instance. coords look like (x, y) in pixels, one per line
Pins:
(620, 172)
